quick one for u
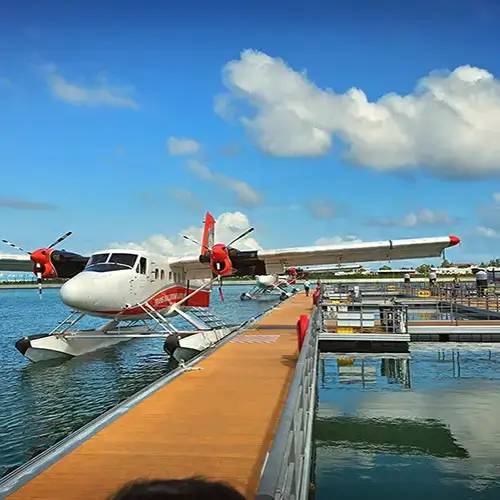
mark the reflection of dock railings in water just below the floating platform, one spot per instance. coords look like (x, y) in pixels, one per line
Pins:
(361, 369)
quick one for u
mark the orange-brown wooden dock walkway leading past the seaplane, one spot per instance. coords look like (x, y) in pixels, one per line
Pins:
(218, 422)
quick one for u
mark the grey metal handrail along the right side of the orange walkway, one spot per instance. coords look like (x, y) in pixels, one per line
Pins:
(287, 469)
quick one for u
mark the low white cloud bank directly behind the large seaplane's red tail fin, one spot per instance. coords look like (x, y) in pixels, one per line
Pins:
(229, 225)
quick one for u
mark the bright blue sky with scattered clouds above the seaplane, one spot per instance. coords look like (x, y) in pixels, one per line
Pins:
(91, 92)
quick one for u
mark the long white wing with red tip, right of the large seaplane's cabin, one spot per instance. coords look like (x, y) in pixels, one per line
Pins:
(276, 261)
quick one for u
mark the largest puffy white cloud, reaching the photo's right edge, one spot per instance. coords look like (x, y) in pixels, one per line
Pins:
(447, 125)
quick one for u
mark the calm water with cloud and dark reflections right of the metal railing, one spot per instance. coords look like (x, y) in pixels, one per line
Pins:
(425, 427)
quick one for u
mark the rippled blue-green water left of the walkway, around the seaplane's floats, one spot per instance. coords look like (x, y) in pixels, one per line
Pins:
(41, 404)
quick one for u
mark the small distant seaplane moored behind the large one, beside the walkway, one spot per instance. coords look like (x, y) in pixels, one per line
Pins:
(282, 287)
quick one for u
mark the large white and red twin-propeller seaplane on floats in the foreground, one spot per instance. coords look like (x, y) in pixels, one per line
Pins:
(139, 293)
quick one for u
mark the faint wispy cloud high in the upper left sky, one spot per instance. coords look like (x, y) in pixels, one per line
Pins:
(100, 94)
